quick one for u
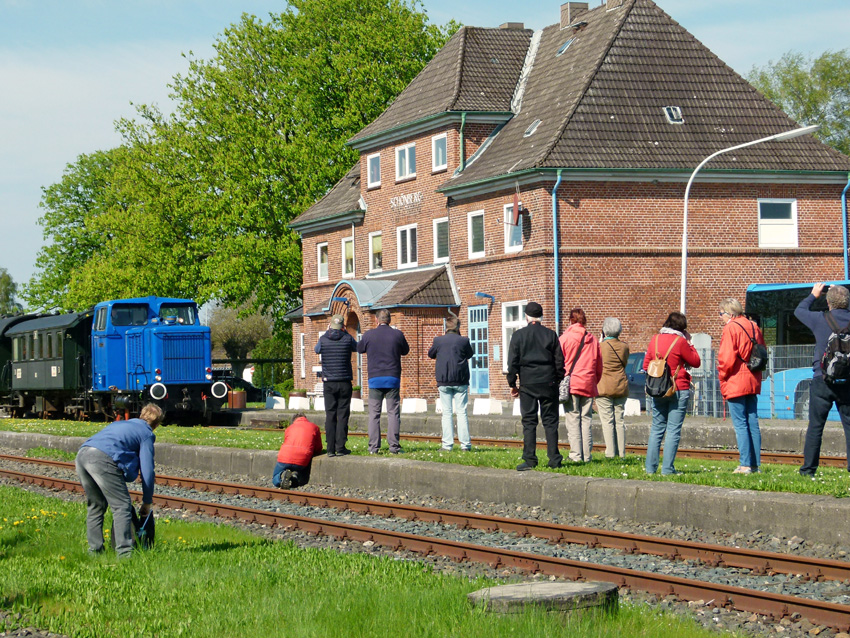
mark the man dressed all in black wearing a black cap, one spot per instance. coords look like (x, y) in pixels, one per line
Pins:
(535, 356)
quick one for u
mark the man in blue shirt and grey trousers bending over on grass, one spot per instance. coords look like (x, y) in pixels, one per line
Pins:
(106, 463)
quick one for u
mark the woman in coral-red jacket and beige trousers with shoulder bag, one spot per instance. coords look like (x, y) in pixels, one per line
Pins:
(583, 380)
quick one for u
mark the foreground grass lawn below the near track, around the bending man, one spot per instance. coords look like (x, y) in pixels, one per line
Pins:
(208, 580)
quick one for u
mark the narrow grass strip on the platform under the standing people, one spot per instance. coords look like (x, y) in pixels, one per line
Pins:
(773, 478)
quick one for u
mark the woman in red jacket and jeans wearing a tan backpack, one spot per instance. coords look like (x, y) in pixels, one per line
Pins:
(668, 414)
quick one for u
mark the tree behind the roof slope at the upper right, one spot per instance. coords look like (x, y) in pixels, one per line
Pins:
(812, 91)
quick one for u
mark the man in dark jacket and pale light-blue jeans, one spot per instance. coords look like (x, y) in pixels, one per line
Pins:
(453, 353)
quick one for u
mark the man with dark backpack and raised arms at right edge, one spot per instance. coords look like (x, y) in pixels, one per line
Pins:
(822, 394)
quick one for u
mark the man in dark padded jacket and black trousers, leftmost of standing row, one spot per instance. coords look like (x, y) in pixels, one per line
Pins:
(336, 346)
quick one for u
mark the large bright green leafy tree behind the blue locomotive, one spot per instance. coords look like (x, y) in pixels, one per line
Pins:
(199, 203)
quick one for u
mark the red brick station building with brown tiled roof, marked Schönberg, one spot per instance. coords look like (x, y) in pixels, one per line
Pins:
(591, 126)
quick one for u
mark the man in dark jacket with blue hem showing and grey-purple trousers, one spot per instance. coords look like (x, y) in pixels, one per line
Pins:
(384, 347)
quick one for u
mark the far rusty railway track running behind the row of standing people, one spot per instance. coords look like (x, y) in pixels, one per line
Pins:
(779, 458)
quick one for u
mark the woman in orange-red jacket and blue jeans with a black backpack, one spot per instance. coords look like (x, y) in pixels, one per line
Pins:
(739, 385)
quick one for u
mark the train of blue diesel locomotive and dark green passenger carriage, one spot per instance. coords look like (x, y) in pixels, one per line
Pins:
(110, 360)
